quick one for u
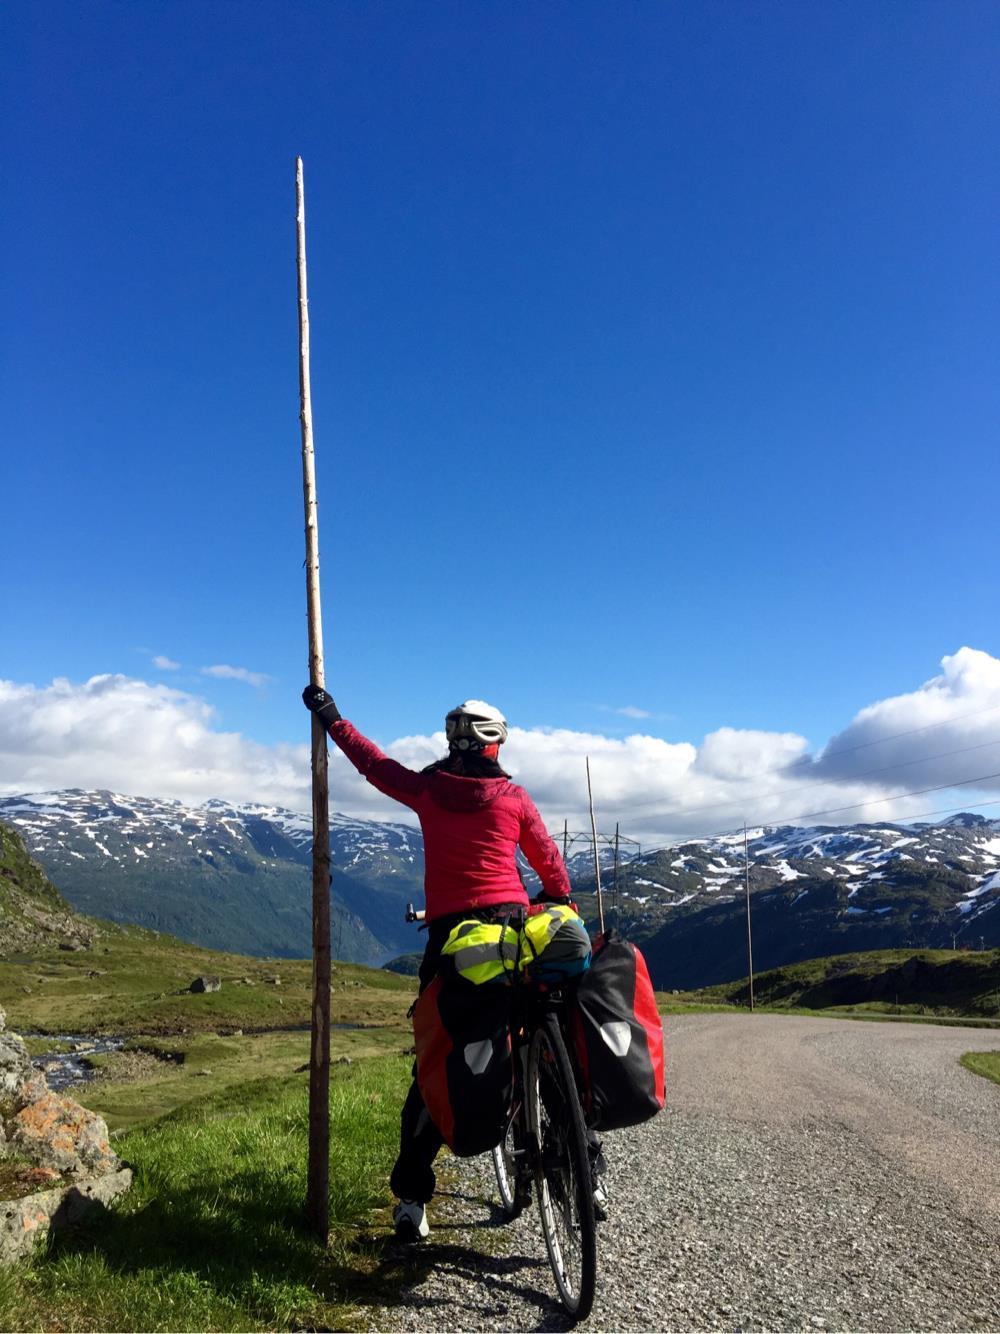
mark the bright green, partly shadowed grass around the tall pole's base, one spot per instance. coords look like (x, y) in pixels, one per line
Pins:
(211, 1236)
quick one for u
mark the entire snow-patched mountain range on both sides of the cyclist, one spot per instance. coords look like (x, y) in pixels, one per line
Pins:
(238, 878)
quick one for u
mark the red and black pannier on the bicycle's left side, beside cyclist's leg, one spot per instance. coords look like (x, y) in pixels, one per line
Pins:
(462, 1035)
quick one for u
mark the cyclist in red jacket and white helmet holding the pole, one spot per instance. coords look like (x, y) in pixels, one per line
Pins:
(474, 821)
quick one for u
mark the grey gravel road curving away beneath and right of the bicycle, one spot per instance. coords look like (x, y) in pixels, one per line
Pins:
(810, 1175)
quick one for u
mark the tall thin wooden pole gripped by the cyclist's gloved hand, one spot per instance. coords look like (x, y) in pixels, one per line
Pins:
(318, 1189)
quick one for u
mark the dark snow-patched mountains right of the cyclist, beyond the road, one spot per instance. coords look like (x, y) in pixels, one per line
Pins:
(814, 892)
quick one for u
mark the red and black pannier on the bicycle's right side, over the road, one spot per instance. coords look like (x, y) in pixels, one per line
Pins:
(618, 1037)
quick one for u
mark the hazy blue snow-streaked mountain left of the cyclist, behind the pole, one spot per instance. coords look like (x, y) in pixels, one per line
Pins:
(230, 877)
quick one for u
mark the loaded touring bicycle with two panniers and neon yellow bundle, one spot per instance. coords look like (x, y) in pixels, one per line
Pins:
(522, 1049)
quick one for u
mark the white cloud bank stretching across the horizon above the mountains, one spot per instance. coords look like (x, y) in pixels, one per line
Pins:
(145, 740)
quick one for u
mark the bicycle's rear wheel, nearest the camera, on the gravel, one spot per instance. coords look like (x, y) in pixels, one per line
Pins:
(563, 1169)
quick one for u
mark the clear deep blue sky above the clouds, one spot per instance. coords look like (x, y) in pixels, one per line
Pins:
(654, 356)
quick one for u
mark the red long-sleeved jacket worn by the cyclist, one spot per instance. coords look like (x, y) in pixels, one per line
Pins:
(473, 828)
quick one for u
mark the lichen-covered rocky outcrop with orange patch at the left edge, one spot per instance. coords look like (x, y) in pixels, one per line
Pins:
(47, 1141)
